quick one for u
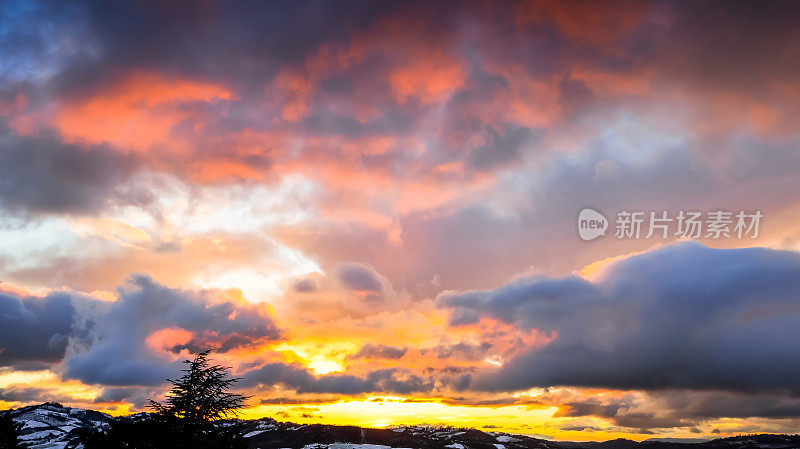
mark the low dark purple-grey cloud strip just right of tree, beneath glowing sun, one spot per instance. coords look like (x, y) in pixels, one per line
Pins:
(299, 378)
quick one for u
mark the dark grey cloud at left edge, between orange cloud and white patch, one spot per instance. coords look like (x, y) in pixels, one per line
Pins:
(42, 174)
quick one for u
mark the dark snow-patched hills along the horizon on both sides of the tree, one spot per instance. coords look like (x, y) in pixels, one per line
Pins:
(53, 426)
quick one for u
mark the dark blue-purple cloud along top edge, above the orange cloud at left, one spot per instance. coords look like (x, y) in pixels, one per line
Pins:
(245, 43)
